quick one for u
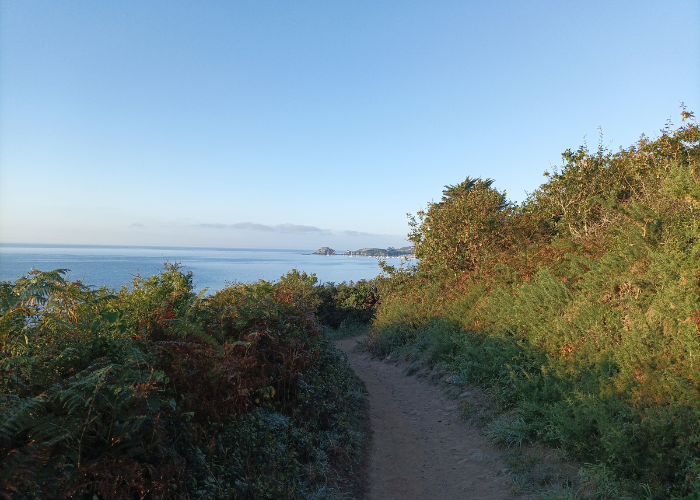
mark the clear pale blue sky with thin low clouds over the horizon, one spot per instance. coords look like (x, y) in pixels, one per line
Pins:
(277, 124)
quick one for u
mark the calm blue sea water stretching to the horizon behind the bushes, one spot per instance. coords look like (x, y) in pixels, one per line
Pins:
(115, 266)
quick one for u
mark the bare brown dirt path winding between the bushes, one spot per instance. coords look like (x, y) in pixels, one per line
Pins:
(421, 449)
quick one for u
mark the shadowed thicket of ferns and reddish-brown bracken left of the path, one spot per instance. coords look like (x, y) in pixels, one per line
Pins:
(156, 392)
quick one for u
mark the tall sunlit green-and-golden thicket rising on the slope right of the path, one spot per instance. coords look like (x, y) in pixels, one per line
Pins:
(579, 308)
